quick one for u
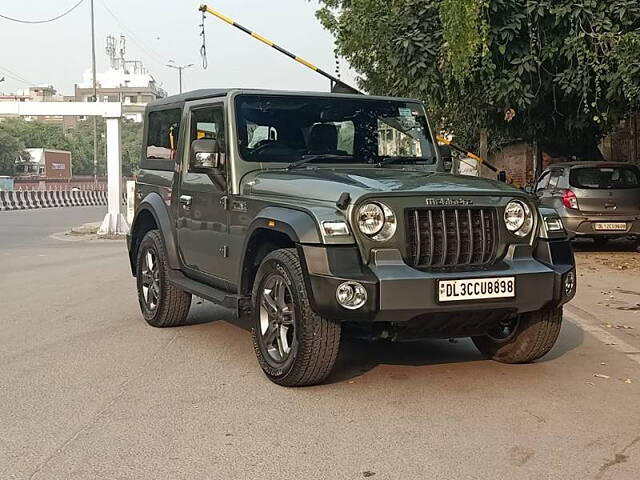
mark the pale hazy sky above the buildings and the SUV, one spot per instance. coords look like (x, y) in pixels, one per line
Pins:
(157, 31)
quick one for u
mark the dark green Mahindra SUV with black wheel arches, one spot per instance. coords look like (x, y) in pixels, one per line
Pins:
(308, 213)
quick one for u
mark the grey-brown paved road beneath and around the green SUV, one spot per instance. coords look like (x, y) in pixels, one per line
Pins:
(88, 390)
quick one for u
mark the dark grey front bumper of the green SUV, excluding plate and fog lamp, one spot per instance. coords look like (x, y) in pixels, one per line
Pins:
(398, 293)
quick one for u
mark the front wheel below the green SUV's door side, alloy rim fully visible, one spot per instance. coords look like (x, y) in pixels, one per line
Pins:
(295, 346)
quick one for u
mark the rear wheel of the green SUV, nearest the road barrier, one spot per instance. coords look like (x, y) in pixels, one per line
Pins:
(162, 304)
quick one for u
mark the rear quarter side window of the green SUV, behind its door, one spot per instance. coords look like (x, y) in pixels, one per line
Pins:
(162, 139)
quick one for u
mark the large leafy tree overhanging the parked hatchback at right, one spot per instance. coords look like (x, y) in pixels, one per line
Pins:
(563, 72)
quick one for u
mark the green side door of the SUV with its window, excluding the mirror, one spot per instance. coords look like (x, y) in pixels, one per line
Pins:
(202, 215)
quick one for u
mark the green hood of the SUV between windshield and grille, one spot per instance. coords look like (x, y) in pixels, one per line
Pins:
(324, 184)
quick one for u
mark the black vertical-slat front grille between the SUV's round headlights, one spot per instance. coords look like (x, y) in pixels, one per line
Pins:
(452, 237)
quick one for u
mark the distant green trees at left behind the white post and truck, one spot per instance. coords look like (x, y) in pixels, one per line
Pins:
(18, 134)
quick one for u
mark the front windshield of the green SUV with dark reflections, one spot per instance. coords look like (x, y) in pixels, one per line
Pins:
(332, 130)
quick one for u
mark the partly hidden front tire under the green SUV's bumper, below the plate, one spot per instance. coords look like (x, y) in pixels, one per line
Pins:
(523, 339)
